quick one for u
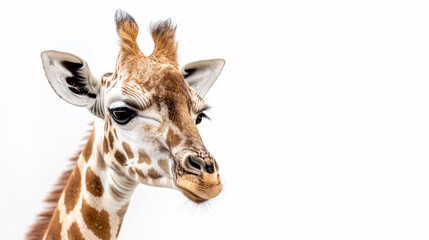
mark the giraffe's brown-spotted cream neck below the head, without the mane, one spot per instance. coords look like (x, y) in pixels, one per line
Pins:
(95, 199)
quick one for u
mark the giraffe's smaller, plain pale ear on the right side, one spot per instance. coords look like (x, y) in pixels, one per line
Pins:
(202, 74)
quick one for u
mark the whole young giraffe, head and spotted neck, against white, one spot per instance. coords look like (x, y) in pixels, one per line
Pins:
(144, 132)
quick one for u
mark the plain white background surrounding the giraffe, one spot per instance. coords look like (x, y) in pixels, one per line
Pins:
(320, 119)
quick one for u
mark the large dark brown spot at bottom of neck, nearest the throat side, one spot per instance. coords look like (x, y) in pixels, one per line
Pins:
(96, 221)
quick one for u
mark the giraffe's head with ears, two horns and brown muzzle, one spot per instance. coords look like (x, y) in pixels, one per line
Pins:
(150, 110)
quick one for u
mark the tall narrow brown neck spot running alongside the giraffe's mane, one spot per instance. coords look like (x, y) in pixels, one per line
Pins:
(72, 190)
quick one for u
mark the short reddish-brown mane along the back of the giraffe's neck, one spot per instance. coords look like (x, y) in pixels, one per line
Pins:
(38, 229)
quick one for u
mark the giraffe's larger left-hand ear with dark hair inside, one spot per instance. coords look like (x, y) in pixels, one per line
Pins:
(70, 77)
